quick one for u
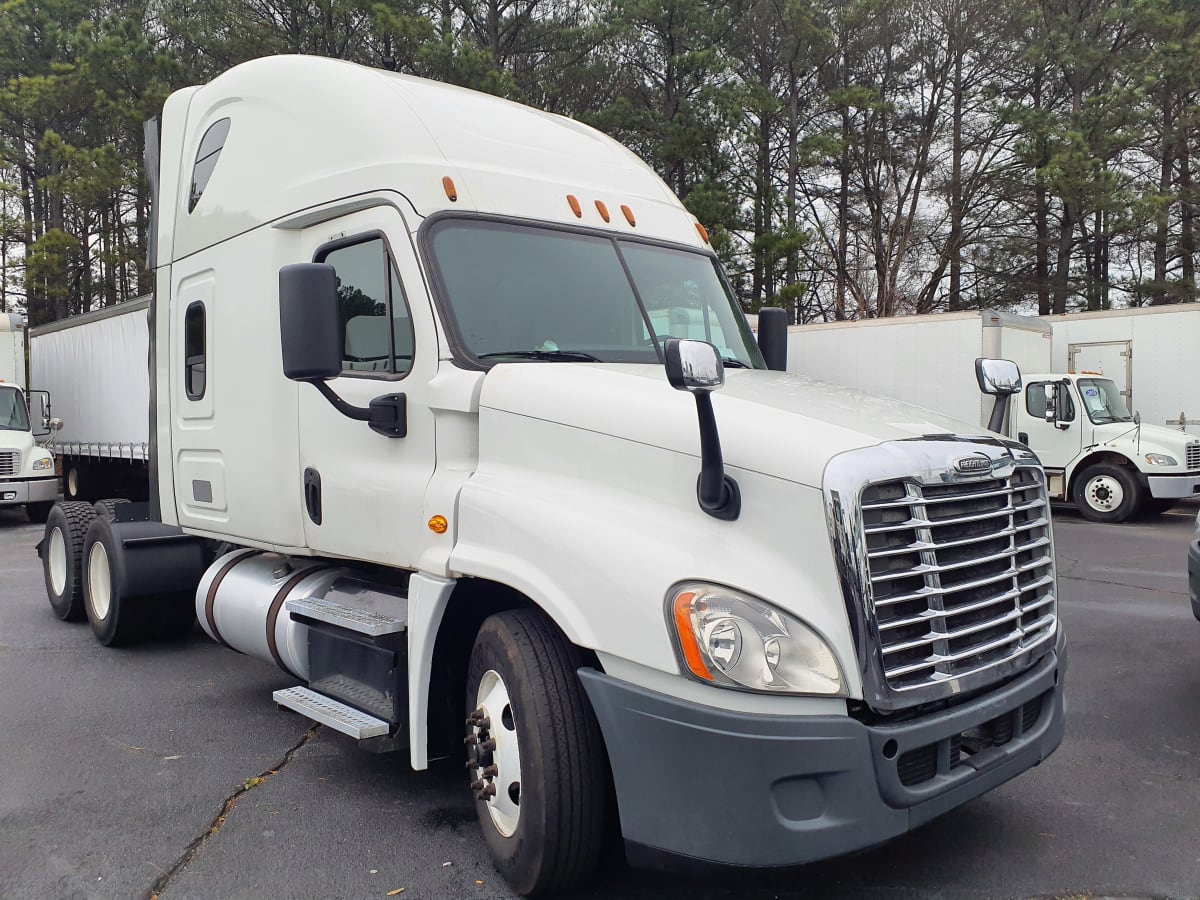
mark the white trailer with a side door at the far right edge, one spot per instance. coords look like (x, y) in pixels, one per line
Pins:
(1153, 355)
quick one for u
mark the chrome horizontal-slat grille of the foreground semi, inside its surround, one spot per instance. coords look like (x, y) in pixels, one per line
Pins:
(962, 574)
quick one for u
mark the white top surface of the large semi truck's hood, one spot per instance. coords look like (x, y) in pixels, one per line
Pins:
(772, 423)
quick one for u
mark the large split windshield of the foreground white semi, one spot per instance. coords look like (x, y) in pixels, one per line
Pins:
(521, 292)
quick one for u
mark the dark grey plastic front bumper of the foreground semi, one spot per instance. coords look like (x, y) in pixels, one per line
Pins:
(745, 790)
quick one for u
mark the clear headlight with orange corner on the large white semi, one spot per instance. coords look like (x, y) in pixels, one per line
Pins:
(730, 639)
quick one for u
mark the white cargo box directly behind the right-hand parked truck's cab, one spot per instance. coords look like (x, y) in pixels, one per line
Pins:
(925, 361)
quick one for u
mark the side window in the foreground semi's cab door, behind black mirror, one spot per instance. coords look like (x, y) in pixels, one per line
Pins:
(375, 327)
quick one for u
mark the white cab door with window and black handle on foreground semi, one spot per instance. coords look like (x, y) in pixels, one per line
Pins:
(363, 493)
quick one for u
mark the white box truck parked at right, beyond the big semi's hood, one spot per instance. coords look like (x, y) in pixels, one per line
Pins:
(1097, 453)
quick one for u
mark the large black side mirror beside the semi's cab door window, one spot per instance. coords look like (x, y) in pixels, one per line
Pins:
(309, 327)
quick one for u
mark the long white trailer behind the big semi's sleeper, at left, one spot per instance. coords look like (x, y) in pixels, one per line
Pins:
(97, 369)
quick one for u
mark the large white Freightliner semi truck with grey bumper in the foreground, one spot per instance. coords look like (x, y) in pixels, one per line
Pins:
(422, 437)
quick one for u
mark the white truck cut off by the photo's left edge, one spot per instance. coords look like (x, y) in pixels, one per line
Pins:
(27, 470)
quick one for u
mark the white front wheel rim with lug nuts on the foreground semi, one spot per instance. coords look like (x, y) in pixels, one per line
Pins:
(494, 754)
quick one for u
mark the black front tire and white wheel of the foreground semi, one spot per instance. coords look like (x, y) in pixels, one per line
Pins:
(536, 758)
